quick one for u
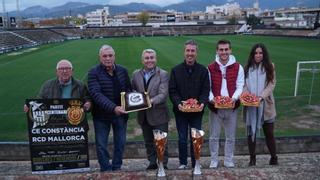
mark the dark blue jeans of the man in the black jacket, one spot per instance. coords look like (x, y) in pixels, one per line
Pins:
(184, 123)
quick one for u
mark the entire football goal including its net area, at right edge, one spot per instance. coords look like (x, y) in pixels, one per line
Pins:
(307, 78)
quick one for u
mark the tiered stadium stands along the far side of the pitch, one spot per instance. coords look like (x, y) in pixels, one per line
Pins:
(16, 39)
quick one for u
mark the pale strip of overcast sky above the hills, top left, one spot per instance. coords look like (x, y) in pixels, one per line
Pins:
(10, 5)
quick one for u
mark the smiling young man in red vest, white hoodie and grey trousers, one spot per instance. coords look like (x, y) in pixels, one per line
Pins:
(226, 79)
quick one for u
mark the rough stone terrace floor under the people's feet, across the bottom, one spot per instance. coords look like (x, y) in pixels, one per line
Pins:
(291, 166)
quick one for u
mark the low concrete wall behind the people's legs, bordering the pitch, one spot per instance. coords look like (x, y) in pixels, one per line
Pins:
(19, 151)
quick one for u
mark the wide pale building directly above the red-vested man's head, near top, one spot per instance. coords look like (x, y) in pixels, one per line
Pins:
(226, 9)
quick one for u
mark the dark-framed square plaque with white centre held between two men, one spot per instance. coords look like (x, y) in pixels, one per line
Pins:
(135, 101)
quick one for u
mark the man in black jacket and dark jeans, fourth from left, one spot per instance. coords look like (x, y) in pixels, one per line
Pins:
(188, 80)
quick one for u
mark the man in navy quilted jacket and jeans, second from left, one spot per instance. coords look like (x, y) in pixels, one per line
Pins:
(105, 83)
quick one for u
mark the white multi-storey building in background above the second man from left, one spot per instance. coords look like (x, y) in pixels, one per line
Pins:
(98, 17)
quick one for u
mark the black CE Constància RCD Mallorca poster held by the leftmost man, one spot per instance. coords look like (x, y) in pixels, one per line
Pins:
(57, 136)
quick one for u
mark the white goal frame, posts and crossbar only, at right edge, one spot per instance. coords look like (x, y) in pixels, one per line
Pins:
(306, 66)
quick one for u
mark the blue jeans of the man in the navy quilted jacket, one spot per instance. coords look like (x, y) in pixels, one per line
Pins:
(102, 129)
